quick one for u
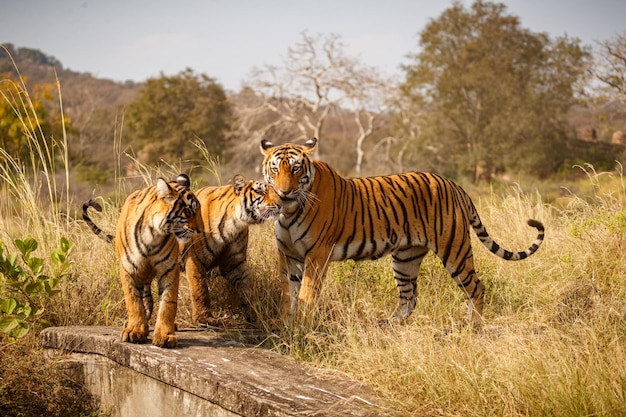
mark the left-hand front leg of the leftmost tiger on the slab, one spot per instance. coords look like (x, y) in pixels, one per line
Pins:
(136, 328)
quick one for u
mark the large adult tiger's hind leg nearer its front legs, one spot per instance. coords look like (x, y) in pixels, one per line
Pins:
(406, 264)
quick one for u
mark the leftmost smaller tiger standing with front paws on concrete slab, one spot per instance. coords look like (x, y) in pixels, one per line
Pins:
(152, 223)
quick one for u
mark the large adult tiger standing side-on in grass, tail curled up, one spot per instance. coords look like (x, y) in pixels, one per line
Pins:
(326, 217)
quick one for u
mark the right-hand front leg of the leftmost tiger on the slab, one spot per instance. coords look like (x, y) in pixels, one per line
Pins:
(168, 301)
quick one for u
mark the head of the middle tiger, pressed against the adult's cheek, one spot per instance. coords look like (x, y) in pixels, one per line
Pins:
(259, 200)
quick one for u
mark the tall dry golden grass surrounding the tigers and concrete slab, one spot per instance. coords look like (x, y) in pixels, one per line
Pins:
(554, 339)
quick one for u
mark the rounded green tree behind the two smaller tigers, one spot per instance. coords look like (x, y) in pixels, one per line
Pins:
(172, 112)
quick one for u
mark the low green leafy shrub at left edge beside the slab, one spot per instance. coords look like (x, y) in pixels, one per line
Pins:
(26, 285)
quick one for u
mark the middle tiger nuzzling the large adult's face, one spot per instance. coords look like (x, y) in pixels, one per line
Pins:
(226, 213)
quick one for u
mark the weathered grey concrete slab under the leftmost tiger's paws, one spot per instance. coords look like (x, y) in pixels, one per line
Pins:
(206, 375)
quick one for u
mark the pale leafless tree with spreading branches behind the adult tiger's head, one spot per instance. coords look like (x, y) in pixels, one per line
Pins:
(317, 79)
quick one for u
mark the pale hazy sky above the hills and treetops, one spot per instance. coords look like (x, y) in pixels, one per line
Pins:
(225, 39)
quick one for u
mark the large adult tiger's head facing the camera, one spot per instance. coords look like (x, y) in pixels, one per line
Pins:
(288, 168)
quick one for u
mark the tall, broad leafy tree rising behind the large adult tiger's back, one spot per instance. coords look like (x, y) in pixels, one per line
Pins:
(496, 94)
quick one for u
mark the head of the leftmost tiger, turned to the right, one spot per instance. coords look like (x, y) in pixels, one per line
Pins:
(181, 205)
